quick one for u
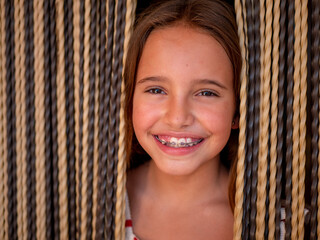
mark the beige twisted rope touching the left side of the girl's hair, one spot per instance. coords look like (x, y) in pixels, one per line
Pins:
(121, 178)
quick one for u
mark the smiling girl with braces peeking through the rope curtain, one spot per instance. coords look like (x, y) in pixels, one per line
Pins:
(182, 98)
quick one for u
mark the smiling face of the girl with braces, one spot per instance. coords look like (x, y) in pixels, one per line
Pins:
(184, 103)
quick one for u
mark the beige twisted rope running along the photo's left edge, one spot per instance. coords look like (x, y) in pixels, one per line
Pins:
(3, 131)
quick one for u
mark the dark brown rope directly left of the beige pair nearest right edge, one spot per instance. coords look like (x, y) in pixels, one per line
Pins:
(289, 126)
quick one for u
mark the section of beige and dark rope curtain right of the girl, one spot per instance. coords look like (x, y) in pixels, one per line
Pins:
(280, 48)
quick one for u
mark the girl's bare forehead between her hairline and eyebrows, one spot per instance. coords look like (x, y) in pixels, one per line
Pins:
(186, 49)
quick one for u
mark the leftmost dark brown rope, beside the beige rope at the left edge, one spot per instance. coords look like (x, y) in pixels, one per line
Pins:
(11, 120)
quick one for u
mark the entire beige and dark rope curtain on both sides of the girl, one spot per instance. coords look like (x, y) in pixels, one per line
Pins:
(62, 153)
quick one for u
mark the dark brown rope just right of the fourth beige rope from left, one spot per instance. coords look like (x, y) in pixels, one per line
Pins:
(70, 120)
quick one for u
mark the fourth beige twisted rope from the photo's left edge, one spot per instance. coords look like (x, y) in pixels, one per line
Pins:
(61, 105)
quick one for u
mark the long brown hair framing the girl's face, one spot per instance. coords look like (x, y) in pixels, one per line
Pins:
(217, 18)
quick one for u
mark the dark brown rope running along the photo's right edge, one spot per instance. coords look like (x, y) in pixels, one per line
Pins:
(315, 38)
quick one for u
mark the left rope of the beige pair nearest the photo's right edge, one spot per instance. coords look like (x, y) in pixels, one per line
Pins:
(296, 120)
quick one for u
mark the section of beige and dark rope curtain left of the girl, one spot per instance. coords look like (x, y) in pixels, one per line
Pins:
(62, 162)
